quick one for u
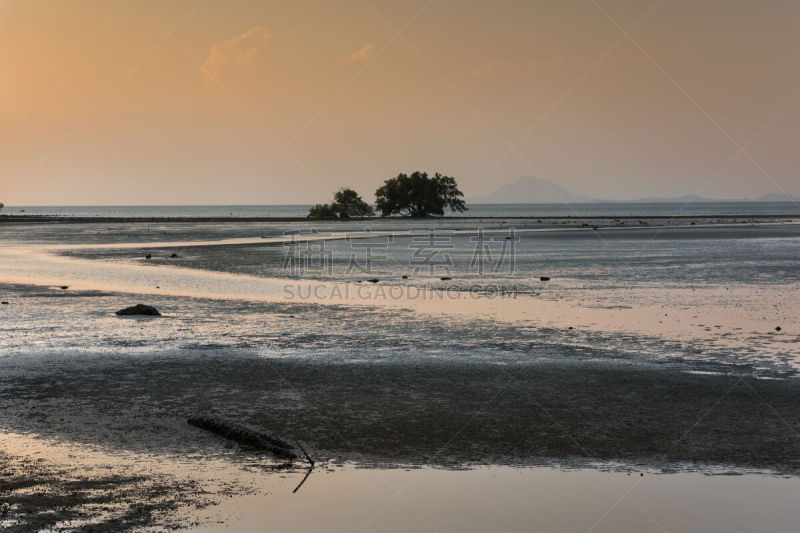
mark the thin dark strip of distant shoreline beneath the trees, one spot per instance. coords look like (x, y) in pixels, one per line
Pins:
(52, 219)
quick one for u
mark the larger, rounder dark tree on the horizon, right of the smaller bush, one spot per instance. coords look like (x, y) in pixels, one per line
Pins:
(418, 195)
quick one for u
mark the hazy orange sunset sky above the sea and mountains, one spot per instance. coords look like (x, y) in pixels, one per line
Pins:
(265, 102)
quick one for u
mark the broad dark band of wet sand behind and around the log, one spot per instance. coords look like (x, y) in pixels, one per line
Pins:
(428, 413)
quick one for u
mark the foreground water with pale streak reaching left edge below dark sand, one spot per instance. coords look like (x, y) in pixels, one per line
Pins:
(338, 498)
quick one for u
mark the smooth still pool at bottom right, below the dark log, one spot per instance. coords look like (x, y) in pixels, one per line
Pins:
(507, 499)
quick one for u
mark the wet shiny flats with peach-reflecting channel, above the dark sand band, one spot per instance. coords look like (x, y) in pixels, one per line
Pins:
(712, 294)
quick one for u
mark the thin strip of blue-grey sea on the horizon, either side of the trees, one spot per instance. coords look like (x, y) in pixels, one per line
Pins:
(475, 210)
